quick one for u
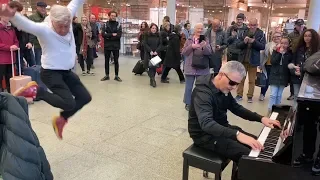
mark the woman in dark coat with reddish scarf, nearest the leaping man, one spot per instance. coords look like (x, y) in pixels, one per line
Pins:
(85, 44)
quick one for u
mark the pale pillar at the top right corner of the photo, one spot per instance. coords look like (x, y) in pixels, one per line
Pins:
(313, 15)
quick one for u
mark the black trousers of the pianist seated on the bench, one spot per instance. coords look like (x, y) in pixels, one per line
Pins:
(229, 148)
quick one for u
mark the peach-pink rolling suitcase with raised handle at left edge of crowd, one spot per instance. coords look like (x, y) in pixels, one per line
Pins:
(20, 81)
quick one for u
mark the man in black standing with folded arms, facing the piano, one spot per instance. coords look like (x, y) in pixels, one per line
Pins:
(112, 32)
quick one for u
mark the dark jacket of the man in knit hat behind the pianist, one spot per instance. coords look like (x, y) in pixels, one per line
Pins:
(233, 40)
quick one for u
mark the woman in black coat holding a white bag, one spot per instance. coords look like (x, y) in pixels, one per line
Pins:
(152, 47)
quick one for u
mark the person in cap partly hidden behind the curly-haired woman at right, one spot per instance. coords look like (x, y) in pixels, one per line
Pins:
(299, 27)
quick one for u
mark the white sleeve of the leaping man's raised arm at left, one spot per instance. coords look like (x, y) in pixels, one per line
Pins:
(25, 24)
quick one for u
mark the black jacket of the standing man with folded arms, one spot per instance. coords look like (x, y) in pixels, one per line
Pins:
(111, 42)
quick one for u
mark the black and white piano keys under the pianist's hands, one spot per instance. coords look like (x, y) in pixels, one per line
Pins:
(269, 138)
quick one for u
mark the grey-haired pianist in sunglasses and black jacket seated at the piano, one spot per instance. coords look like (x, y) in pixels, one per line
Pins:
(208, 123)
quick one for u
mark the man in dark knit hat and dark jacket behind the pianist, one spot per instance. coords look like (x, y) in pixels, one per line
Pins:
(234, 34)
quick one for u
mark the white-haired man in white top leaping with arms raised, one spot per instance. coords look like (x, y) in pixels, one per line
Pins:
(59, 53)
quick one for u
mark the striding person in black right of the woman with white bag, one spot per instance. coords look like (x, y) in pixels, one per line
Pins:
(173, 55)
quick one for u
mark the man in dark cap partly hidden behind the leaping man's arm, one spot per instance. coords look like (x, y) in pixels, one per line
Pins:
(38, 16)
